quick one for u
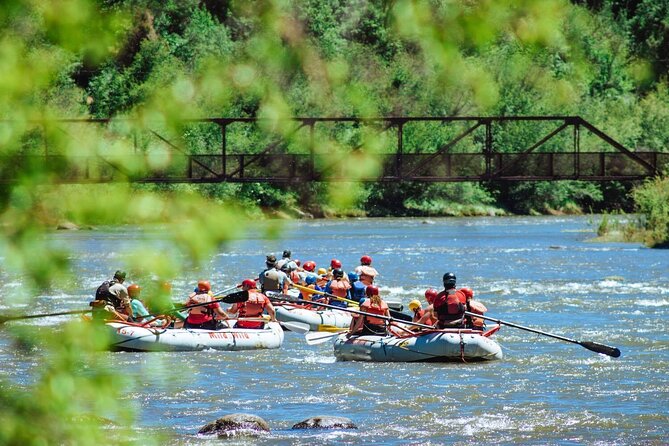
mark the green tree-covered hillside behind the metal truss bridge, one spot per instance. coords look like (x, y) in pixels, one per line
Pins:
(603, 60)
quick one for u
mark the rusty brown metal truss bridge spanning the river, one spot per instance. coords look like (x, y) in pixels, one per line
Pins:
(307, 149)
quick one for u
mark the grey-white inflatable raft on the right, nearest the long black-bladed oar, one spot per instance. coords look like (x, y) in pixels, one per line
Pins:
(428, 346)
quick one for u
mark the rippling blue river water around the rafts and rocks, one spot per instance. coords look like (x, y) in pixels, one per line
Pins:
(539, 272)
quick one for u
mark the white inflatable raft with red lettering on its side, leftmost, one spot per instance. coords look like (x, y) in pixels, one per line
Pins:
(131, 337)
